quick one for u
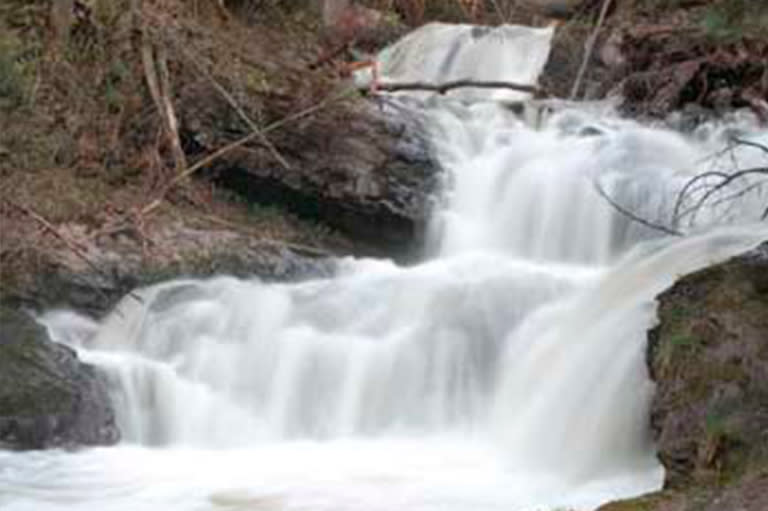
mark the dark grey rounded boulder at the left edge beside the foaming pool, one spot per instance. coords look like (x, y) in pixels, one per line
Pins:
(48, 398)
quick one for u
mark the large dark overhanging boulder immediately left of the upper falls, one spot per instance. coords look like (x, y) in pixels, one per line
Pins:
(358, 168)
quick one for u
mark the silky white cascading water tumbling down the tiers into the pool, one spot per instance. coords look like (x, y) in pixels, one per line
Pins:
(505, 372)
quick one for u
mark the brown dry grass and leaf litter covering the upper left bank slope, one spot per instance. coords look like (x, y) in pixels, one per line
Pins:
(82, 143)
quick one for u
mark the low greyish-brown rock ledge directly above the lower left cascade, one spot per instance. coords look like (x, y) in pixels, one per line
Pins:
(61, 280)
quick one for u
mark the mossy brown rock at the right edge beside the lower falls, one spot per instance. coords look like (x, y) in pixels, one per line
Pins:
(709, 358)
